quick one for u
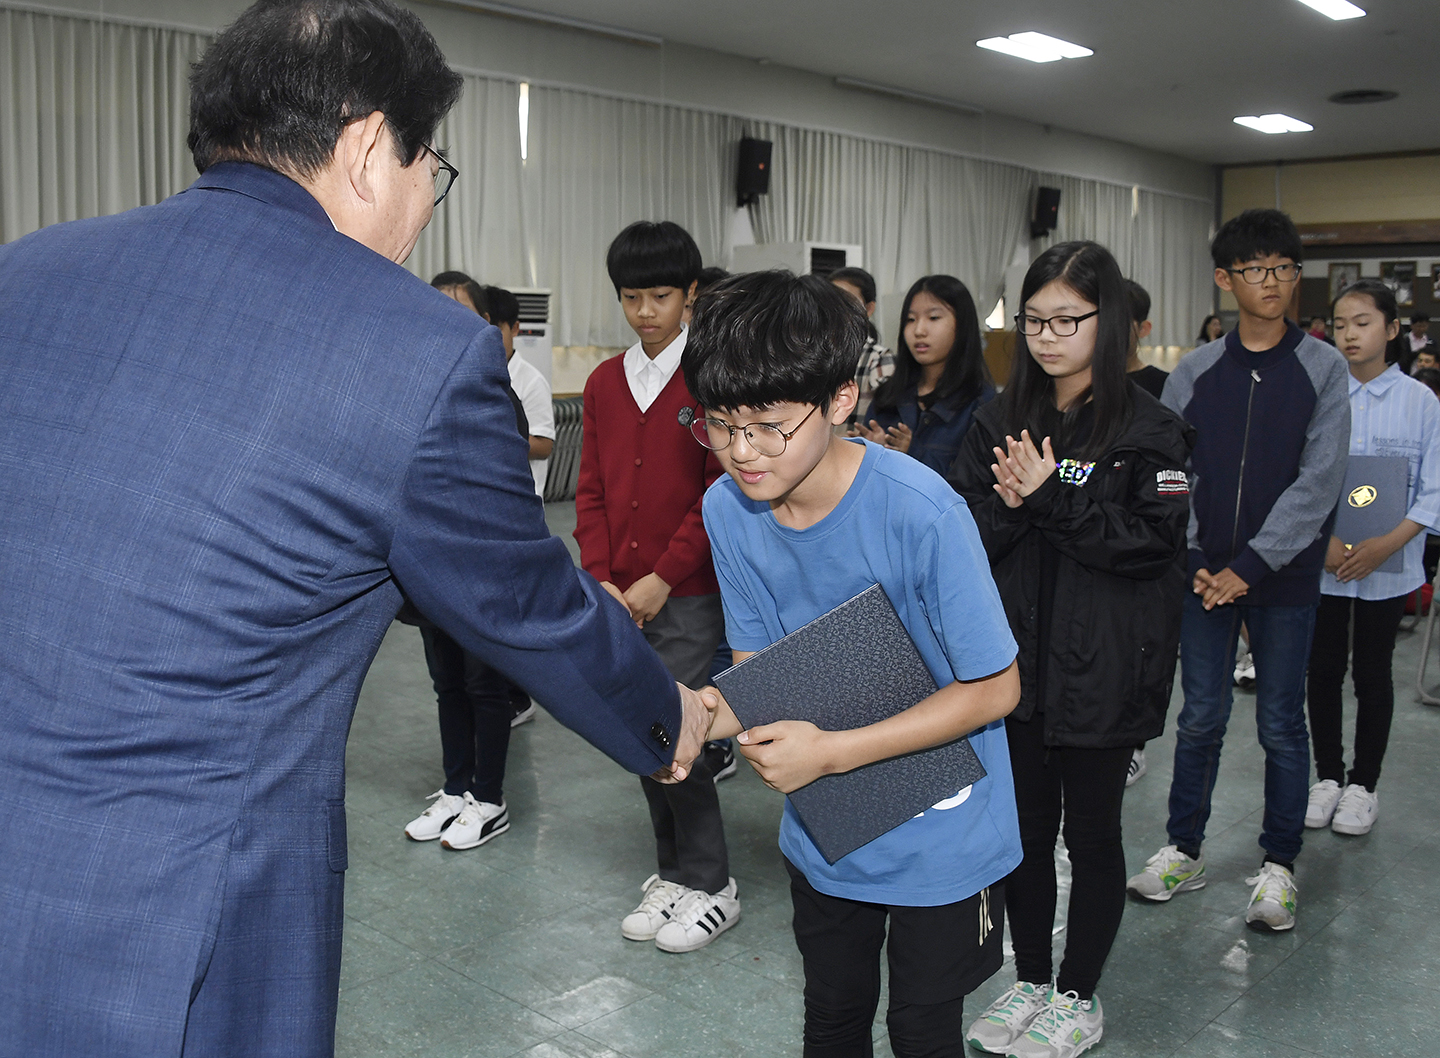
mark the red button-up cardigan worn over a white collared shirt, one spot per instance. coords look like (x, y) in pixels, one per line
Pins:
(637, 505)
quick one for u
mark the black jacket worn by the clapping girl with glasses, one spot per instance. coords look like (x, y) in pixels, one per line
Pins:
(1121, 581)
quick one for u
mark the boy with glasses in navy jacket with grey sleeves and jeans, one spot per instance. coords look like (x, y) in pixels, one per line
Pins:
(1271, 407)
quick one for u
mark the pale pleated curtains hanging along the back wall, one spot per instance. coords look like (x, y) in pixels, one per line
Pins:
(94, 117)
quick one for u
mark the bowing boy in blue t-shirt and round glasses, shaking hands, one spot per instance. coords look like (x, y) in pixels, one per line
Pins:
(804, 522)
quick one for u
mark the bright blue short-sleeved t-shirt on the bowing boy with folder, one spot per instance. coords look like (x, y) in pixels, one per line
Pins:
(899, 526)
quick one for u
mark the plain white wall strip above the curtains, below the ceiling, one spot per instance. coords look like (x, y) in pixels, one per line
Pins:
(696, 77)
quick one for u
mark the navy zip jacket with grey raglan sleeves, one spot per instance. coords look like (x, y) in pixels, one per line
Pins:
(1272, 438)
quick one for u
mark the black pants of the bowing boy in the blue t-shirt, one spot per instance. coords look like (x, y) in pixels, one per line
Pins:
(937, 955)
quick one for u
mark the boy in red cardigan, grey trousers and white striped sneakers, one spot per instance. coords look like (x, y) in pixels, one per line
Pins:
(640, 530)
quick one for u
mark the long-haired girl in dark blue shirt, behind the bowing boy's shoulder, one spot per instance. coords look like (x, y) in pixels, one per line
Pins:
(941, 379)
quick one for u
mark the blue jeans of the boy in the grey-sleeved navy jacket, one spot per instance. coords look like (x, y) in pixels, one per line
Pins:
(1281, 647)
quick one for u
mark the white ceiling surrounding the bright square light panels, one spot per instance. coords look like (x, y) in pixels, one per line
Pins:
(1166, 74)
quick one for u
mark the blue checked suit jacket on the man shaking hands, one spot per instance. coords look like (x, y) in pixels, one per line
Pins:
(227, 434)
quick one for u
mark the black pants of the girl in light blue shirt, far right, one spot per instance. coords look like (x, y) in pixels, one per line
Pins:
(1374, 648)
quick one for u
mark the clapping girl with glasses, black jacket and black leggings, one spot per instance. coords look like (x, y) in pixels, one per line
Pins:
(1086, 538)
